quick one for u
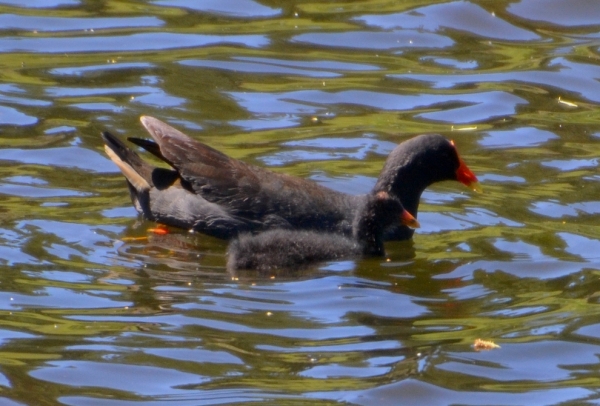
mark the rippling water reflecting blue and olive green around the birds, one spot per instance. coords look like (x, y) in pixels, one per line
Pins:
(96, 311)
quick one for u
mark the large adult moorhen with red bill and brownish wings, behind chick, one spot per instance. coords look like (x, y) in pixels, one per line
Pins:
(208, 191)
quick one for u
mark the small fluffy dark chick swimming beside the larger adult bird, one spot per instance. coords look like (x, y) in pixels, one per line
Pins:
(288, 249)
